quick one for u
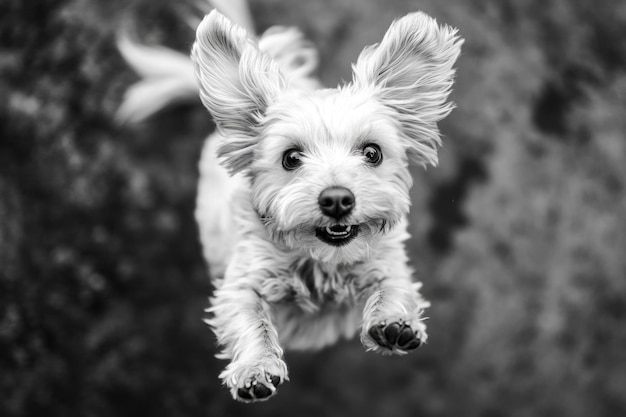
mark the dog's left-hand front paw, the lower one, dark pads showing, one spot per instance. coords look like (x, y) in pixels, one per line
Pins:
(250, 382)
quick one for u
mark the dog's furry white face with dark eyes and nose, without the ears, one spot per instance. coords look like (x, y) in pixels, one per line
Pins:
(329, 173)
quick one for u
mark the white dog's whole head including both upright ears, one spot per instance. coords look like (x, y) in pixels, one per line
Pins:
(329, 168)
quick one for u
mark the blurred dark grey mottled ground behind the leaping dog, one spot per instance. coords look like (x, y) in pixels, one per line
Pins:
(519, 235)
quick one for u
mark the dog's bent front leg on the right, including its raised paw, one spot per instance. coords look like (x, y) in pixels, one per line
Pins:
(392, 317)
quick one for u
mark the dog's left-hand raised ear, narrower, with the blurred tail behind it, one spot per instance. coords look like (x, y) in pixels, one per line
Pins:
(237, 84)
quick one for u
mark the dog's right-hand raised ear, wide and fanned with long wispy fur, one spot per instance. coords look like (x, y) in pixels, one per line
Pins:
(411, 72)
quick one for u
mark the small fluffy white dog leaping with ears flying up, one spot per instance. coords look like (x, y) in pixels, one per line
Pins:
(304, 194)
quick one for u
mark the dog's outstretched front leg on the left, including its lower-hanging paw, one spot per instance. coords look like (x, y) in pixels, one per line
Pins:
(243, 325)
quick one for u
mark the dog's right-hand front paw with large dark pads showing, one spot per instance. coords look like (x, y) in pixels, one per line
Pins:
(395, 336)
